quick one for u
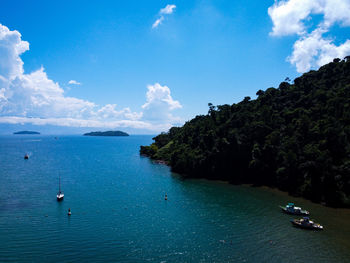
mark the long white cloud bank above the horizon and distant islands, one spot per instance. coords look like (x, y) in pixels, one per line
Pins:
(34, 98)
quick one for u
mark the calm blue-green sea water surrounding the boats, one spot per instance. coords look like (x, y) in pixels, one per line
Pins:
(119, 213)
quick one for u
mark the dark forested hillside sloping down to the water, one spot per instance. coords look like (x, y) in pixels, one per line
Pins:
(295, 137)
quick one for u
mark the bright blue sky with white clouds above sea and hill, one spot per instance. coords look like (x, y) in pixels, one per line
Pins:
(145, 66)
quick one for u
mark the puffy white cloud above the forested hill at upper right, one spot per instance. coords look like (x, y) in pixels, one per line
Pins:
(312, 49)
